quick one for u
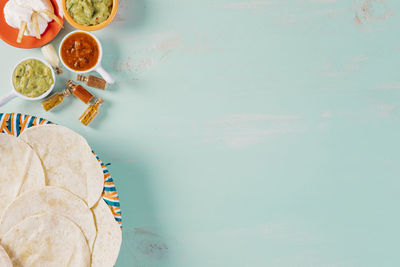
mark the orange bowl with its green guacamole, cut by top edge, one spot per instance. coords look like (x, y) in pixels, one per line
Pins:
(90, 15)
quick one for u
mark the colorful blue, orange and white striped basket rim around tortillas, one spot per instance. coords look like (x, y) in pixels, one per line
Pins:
(15, 123)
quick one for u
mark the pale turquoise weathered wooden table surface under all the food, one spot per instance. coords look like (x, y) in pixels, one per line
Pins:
(248, 133)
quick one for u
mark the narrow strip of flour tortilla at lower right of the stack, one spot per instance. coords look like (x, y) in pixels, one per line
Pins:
(109, 237)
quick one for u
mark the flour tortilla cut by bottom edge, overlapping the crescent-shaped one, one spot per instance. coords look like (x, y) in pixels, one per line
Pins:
(46, 240)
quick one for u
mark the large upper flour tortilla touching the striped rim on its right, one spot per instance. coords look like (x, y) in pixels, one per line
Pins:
(68, 160)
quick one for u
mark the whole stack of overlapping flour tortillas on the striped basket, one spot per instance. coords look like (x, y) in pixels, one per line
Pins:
(50, 200)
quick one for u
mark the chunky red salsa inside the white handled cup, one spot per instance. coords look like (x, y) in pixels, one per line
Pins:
(80, 51)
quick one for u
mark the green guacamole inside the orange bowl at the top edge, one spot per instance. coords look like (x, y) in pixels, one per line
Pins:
(89, 12)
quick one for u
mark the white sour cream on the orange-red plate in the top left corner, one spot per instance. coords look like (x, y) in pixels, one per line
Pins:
(16, 11)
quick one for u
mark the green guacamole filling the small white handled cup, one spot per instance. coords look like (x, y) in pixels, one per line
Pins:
(32, 78)
